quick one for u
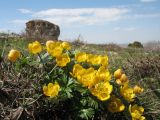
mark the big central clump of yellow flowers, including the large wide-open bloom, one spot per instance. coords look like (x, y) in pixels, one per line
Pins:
(96, 80)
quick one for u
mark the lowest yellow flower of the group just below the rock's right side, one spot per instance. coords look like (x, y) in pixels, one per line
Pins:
(62, 60)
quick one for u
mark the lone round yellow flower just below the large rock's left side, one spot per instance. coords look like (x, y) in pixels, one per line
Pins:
(35, 47)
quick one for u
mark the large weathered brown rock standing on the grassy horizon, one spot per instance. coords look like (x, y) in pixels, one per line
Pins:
(42, 30)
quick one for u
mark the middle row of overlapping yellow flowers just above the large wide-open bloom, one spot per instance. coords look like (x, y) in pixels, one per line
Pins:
(90, 77)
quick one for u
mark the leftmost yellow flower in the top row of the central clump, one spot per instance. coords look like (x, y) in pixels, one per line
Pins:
(81, 57)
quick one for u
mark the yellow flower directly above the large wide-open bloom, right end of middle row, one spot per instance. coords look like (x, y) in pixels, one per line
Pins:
(103, 74)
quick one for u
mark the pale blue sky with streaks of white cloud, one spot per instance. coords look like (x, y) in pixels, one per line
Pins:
(97, 21)
